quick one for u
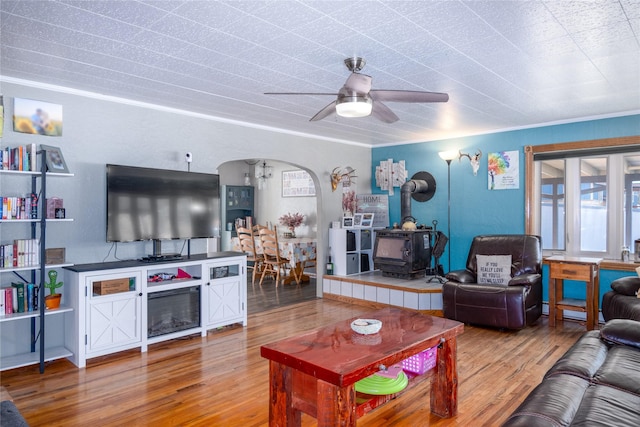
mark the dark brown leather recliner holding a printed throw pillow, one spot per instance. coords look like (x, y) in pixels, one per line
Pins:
(513, 304)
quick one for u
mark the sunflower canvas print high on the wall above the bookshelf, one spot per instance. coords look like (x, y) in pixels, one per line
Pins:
(37, 117)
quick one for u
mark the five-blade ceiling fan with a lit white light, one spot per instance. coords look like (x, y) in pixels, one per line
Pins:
(357, 99)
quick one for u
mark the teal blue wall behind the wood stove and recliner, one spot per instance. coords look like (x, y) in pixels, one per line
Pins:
(474, 208)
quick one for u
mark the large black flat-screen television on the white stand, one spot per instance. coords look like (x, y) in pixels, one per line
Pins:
(157, 204)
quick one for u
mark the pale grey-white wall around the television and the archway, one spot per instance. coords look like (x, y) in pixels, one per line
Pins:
(98, 131)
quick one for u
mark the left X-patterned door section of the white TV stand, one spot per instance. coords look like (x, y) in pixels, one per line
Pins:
(114, 321)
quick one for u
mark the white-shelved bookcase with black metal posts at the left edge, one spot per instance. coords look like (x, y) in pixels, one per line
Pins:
(45, 328)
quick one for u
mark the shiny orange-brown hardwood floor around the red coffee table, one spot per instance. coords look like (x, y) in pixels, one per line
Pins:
(221, 380)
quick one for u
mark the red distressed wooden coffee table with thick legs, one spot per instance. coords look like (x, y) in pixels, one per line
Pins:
(315, 372)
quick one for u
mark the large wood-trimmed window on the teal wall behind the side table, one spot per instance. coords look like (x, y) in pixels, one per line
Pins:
(584, 198)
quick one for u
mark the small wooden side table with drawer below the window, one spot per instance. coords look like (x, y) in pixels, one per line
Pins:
(574, 268)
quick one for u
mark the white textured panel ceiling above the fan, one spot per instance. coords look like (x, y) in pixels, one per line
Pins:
(504, 64)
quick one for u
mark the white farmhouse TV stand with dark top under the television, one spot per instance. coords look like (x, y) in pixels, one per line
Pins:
(105, 323)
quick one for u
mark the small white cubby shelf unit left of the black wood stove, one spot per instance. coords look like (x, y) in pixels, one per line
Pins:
(351, 250)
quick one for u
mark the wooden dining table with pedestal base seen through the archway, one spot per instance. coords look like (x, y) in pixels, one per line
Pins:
(299, 251)
